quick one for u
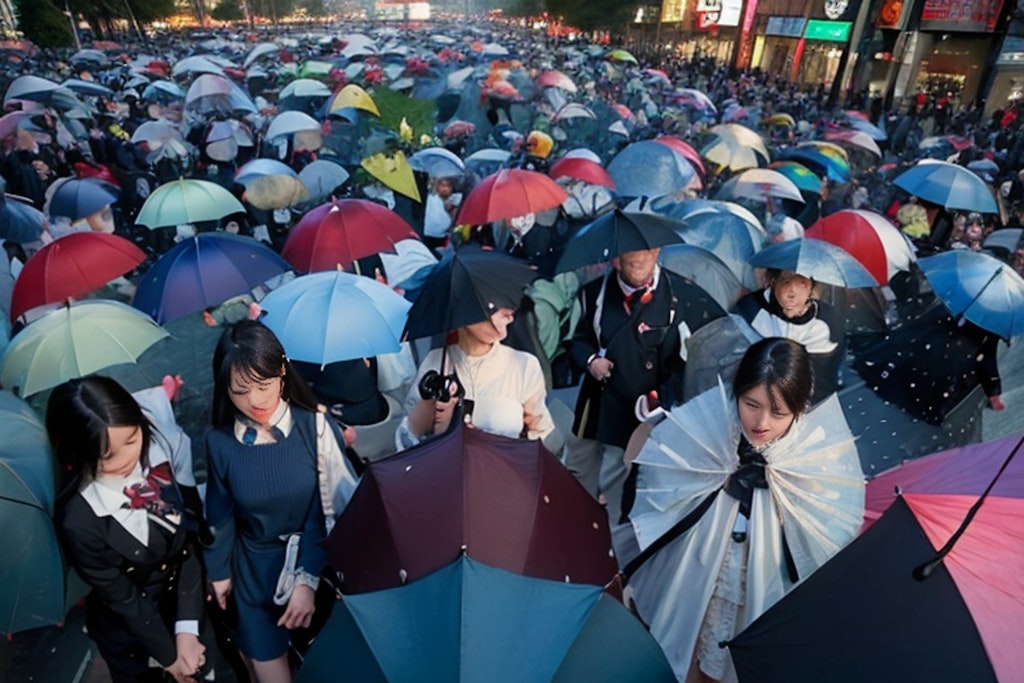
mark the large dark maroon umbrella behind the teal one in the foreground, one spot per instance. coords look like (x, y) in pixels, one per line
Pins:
(509, 503)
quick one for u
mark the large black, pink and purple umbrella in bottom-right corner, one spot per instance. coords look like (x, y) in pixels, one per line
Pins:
(932, 589)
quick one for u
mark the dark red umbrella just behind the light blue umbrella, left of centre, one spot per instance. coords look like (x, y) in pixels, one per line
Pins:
(342, 232)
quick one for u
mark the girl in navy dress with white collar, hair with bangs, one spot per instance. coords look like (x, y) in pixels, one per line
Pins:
(276, 469)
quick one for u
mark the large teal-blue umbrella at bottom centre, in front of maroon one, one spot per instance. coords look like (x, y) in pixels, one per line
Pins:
(471, 622)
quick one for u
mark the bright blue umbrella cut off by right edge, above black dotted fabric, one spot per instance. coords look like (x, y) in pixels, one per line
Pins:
(979, 287)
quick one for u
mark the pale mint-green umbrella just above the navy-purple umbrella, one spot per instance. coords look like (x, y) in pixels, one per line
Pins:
(188, 201)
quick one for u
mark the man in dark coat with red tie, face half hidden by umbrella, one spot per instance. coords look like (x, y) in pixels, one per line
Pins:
(631, 339)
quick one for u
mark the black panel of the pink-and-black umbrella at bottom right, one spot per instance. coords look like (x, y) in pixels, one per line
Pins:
(866, 617)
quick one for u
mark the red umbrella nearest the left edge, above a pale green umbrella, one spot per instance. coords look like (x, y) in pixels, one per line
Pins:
(71, 268)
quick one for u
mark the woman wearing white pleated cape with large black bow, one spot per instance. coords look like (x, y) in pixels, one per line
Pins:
(738, 499)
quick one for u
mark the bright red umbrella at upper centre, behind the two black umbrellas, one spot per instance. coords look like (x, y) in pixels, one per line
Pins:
(508, 194)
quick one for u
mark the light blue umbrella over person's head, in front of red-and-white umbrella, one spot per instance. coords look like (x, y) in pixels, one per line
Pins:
(817, 260)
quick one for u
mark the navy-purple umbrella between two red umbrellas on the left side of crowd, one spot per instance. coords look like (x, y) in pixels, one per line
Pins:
(205, 271)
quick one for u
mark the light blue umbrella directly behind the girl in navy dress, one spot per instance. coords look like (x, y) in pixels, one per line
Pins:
(328, 317)
